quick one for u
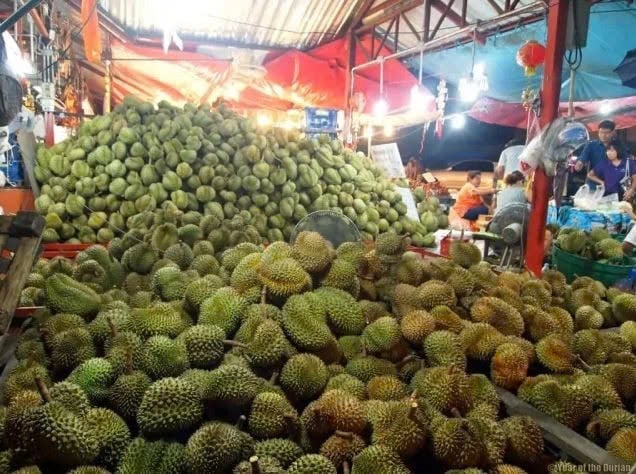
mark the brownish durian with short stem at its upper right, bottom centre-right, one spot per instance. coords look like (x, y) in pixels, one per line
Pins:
(401, 426)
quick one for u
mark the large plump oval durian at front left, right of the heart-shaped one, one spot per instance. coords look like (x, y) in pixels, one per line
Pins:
(169, 406)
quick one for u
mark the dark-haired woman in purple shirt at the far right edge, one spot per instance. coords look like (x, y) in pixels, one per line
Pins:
(615, 173)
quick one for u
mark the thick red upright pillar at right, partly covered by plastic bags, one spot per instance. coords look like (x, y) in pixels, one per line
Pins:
(550, 94)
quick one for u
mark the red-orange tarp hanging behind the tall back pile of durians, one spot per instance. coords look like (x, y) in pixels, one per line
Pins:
(293, 78)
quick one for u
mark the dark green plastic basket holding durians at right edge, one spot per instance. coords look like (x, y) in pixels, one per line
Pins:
(572, 265)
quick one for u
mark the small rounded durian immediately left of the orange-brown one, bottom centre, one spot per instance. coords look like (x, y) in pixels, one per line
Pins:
(271, 415)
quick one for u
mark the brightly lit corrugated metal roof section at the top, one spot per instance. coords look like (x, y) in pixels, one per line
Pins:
(298, 24)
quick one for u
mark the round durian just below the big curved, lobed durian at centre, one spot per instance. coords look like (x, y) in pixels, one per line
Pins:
(303, 376)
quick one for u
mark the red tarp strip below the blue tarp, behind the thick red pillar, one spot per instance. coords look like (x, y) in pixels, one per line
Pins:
(514, 115)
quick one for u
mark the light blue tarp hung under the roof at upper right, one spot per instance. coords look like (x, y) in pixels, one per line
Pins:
(612, 32)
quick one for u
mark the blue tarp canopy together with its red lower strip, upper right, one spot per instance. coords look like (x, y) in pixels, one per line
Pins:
(596, 81)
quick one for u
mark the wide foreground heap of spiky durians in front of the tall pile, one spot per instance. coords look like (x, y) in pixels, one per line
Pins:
(305, 359)
